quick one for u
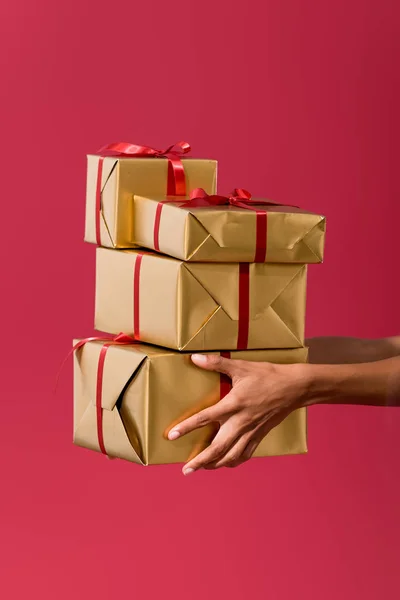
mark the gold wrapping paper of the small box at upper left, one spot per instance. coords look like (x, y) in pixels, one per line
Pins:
(124, 177)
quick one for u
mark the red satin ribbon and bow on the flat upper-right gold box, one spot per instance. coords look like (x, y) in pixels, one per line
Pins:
(239, 198)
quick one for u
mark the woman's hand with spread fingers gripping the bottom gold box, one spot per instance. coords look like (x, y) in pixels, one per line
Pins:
(263, 394)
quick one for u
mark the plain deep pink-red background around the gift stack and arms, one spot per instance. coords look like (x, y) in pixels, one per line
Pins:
(299, 100)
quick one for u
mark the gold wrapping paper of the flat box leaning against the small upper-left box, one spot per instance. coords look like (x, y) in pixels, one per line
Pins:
(228, 233)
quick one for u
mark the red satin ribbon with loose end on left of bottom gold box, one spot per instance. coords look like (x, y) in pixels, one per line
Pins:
(120, 339)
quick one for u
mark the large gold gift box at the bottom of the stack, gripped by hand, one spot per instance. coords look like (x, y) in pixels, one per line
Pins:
(127, 398)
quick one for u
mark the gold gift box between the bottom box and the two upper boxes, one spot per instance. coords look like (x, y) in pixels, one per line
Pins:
(200, 306)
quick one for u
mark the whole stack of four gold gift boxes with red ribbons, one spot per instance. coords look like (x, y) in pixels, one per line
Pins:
(179, 270)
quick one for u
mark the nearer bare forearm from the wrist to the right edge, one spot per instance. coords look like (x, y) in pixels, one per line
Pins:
(376, 383)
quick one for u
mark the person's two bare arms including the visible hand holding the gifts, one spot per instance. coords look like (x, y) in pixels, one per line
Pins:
(341, 371)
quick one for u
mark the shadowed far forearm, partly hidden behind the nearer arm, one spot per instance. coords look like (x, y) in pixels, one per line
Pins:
(346, 350)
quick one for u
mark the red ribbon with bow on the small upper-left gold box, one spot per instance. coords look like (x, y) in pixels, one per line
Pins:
(176, 182)
